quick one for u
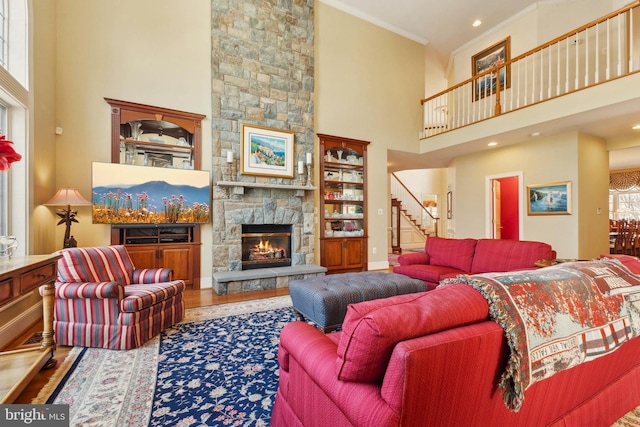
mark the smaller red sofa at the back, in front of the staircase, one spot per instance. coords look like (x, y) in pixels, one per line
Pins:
(446, 258)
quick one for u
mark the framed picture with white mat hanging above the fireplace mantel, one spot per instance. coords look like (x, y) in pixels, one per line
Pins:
(266, 151)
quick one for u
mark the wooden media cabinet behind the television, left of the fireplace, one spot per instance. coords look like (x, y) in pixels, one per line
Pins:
(158, 137)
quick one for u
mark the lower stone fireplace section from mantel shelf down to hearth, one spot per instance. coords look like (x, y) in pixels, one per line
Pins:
(245, 206)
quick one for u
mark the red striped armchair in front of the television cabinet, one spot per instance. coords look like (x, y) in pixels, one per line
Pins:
(101, 300)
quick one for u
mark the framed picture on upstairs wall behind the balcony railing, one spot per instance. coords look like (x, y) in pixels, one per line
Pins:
(491, 57)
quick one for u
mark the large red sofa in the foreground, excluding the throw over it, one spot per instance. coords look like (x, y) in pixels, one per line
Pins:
(434, 359)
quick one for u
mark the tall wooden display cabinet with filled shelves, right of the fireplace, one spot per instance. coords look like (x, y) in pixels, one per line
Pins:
(343, 213)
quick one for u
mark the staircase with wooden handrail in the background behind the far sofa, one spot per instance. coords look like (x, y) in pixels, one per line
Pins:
(412, 210)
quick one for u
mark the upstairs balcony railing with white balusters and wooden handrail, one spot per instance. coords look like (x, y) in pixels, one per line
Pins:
(603, 50)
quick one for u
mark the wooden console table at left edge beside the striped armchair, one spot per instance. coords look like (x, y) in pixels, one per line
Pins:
(19, 276)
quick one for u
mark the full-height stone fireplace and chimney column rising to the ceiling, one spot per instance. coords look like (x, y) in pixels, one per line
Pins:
(262, 74)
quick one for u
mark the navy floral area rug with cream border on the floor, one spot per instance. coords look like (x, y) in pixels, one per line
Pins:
(217, 367)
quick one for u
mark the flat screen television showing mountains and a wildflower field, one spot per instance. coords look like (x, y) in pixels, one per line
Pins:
(129, 194)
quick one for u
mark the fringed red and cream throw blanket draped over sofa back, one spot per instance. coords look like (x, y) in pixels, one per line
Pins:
(558, 317)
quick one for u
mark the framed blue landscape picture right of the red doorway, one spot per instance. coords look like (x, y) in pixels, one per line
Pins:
(553, 198)
